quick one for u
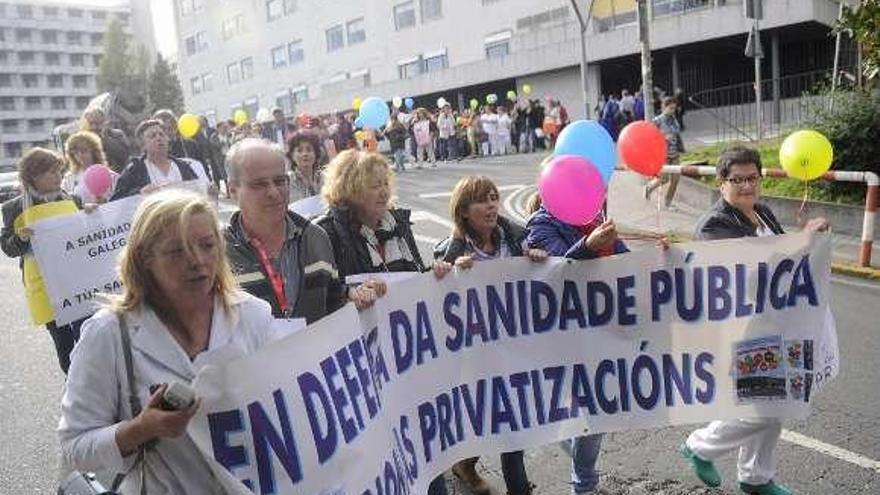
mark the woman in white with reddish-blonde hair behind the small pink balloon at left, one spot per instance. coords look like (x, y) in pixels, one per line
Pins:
(84, 149)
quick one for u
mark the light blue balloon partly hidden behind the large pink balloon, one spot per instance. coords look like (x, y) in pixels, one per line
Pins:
(588, 139)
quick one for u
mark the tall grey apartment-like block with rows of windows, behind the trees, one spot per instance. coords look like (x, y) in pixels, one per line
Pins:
(49, 56)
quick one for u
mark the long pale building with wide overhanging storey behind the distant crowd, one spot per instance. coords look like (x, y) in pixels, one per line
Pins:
(316, 56)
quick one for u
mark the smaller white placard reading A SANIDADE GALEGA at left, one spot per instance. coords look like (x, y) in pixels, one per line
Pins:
(77, 256)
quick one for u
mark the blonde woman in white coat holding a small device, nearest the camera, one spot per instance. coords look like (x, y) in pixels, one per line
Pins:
(179, 310)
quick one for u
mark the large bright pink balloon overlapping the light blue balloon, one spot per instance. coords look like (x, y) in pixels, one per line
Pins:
(572, 189)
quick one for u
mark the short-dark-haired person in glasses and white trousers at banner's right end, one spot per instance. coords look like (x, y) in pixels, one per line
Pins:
(739, 214)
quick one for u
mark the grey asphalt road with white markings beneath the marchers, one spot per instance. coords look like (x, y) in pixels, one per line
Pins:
(836, 451)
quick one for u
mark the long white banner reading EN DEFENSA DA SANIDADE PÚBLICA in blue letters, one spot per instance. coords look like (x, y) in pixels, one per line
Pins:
(512, 354)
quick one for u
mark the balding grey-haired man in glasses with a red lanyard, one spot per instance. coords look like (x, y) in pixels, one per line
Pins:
(276, 254)
